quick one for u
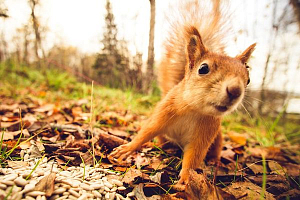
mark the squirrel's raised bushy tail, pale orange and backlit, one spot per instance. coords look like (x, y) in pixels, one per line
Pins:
(210, 18)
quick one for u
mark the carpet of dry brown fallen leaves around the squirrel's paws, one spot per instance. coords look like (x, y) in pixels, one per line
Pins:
(63, 133)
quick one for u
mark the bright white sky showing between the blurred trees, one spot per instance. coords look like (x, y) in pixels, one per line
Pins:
(80, 23)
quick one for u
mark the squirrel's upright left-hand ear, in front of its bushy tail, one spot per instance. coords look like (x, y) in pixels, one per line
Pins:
(195, 47)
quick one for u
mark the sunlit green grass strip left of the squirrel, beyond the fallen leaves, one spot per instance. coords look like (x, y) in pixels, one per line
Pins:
(55, 86)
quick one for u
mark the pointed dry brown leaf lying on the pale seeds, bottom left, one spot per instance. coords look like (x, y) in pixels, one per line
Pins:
(46, 184)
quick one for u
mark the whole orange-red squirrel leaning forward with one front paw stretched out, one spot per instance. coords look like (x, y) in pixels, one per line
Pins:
(199, 84)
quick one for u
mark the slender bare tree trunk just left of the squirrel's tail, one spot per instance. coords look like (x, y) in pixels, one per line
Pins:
(150, 63)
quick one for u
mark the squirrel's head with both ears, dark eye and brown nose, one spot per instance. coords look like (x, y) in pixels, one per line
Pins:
(214, 83)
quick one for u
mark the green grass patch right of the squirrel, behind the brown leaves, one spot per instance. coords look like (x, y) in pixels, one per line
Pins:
(264, 130)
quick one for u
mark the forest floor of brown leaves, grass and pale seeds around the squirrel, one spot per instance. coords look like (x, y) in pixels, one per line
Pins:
(56, 131)
